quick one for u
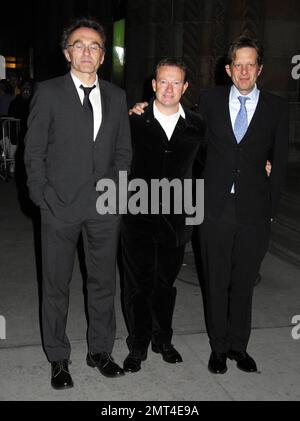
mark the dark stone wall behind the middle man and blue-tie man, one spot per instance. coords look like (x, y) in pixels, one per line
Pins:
(198, 31)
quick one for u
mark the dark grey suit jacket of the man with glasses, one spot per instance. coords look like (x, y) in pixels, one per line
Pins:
(63, 162)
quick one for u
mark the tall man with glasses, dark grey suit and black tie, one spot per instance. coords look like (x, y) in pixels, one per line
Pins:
(78, 133)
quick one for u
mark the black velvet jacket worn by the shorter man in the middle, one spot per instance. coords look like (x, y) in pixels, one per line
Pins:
(155, 157)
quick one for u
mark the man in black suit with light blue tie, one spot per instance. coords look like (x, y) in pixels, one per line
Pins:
(245, 128)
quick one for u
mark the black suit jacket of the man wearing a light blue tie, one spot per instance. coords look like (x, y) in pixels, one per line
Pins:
(227, 162)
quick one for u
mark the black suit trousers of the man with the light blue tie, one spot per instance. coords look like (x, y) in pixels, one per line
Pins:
(231, 256)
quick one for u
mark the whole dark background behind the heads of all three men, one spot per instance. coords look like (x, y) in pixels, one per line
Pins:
(197, 31)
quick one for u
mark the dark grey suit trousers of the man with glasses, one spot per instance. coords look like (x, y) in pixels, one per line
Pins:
(59, 243)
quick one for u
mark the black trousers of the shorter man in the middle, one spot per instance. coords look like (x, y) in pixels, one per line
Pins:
(150, 270)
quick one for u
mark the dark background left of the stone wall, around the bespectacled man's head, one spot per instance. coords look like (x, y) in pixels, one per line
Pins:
(35, 26)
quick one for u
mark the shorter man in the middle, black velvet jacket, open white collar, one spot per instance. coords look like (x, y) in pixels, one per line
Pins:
(166, 141)
